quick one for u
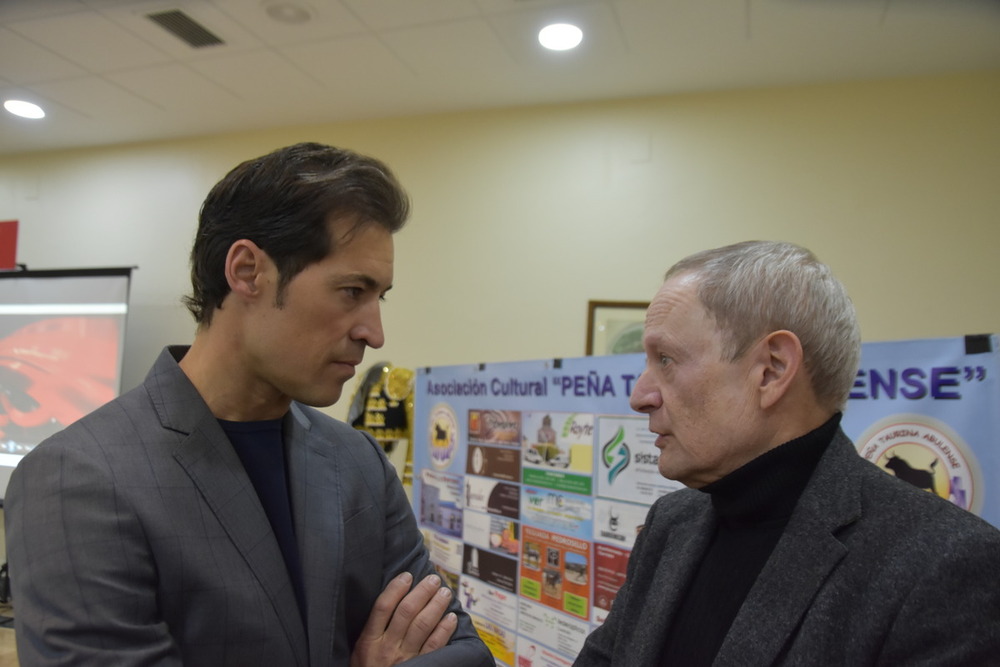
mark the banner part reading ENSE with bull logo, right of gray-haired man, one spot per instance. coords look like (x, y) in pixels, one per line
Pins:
(928, 412)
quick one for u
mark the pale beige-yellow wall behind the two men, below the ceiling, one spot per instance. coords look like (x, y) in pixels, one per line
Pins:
(521, 216)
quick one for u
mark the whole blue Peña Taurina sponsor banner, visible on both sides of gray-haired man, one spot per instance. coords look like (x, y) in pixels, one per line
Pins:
(532, 478)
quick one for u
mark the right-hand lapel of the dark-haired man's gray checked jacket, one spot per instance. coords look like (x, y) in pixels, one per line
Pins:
(316, 508)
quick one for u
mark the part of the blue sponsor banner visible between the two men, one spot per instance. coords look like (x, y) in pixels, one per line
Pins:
(526, 441)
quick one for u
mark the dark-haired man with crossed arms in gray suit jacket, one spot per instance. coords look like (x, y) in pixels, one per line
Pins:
(211, 516)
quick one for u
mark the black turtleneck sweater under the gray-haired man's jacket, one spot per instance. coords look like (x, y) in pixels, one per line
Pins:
(752, 506)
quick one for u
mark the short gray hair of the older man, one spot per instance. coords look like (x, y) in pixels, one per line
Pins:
(756, 287)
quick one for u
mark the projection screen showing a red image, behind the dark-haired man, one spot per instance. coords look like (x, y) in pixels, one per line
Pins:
(61, 345)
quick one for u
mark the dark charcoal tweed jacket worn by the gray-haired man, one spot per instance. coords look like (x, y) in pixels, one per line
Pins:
(869, 571)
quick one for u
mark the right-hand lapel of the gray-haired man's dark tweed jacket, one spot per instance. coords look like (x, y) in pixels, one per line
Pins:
(803, 558)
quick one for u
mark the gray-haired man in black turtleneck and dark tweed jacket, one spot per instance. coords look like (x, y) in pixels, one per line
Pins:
(787, 548)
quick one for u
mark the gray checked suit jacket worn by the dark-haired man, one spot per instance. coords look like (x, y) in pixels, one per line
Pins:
(135, 537)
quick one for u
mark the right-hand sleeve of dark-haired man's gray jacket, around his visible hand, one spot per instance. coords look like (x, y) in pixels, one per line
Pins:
(405, 551)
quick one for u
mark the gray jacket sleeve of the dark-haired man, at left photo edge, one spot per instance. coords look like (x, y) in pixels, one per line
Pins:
(82, 578)
